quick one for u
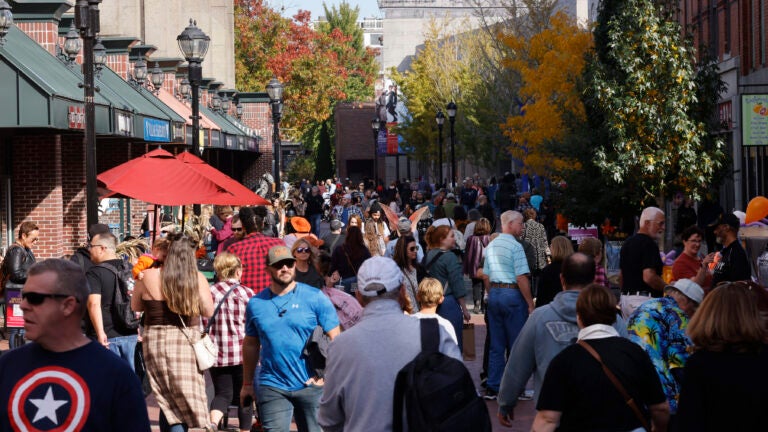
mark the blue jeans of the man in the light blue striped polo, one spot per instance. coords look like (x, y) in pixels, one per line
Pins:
(507, 312)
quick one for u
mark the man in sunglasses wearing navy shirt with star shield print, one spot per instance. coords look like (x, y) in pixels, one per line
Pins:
(64, 380)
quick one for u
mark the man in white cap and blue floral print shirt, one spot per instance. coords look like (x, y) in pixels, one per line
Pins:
(658, 326)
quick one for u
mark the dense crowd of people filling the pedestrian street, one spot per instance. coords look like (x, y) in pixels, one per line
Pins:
(622, 354)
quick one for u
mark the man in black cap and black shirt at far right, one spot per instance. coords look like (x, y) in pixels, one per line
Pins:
(733, 264)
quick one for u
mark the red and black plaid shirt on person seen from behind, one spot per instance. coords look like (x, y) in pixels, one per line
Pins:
(252, 251)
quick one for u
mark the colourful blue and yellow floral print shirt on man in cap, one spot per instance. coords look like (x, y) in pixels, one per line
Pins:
(658, 326)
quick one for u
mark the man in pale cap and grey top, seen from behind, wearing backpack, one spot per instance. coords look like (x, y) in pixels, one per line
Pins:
(363, 361)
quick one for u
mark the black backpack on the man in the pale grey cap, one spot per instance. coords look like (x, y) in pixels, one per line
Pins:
(435, 392)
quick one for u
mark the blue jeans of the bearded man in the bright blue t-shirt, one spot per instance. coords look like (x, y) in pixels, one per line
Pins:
(276, 407)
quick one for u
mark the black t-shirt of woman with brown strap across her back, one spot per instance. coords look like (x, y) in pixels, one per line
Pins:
(577, 386)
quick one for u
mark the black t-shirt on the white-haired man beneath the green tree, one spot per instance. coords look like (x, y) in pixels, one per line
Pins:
(638, 253)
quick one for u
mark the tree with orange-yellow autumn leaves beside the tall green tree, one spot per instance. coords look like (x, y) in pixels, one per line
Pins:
(550, 65)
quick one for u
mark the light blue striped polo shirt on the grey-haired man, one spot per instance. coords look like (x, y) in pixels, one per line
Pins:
(505, 260)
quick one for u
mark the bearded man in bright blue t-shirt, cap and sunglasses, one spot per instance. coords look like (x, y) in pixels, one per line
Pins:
(278, 323)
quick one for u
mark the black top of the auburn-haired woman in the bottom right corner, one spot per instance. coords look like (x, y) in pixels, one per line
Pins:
(725, 391)
